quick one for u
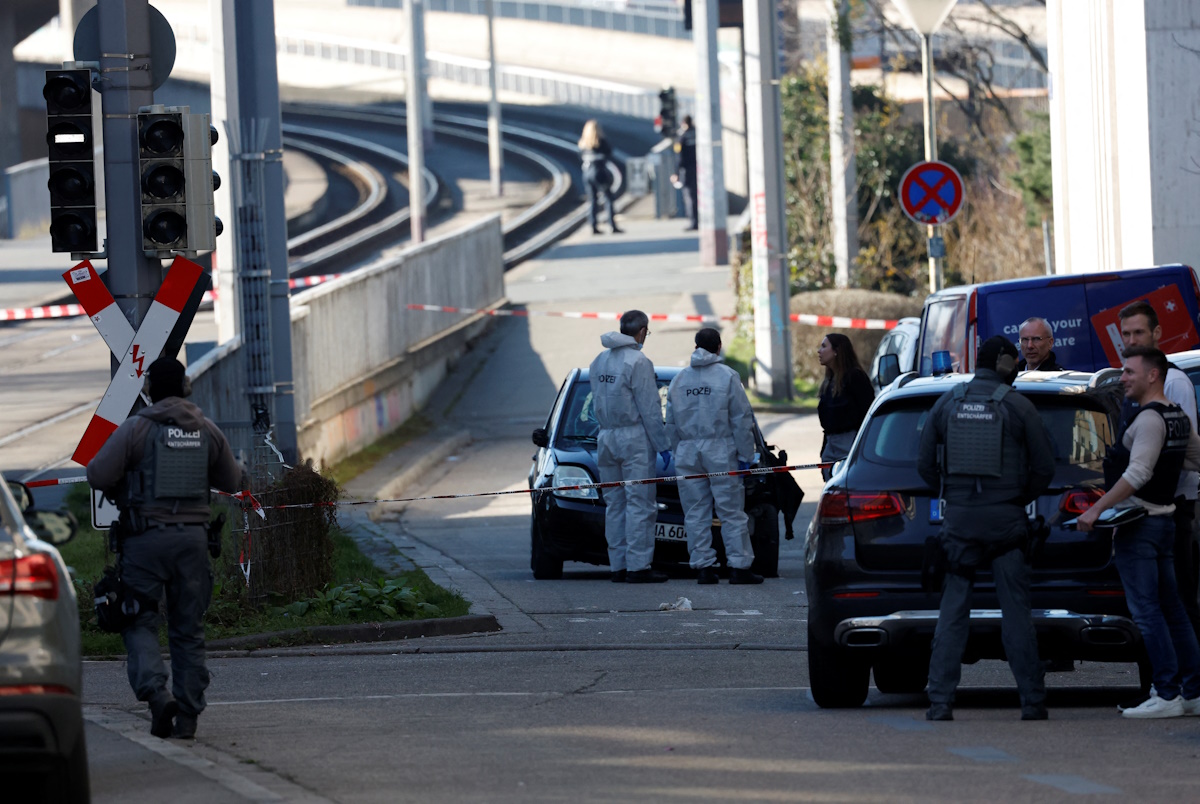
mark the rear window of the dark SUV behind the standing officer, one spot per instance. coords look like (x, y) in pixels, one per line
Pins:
(1081, 435)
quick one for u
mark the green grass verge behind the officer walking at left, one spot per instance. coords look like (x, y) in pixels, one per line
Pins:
(359, 593)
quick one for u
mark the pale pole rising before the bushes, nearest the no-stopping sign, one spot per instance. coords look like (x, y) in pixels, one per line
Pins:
(843, 166)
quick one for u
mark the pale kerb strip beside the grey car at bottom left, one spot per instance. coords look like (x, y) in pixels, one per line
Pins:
(136, 730)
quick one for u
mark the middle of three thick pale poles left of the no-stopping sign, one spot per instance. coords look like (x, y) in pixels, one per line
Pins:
(773, 369)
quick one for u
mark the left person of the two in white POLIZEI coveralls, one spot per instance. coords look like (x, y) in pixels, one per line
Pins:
(626, 399)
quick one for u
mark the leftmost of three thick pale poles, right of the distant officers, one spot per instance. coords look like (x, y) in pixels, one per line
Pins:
(711, 196)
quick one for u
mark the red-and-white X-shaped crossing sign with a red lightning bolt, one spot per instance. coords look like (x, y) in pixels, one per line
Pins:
(137, 350)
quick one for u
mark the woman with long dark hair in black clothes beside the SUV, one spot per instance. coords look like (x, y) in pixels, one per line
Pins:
(847, 395)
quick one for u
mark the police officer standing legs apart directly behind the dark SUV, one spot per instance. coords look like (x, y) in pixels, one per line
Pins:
(987, 449)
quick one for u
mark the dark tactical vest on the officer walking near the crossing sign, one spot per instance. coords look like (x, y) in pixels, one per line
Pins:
(175, 470)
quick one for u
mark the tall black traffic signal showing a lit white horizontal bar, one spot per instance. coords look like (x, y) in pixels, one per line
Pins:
(73, 183)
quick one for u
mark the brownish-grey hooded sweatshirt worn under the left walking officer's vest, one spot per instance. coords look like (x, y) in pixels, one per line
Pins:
(125, 448)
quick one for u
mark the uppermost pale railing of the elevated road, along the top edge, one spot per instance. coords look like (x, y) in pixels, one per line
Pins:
(652, 19)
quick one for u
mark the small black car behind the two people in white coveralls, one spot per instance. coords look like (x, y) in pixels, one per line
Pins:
(569, 525)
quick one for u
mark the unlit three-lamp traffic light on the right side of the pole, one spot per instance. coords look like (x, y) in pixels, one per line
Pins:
(177, 179)
